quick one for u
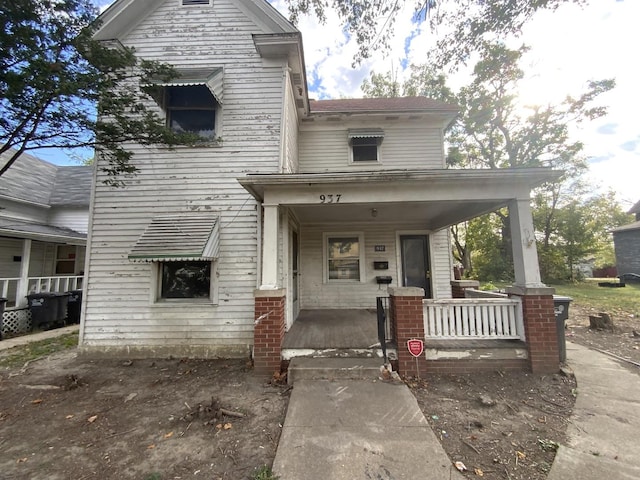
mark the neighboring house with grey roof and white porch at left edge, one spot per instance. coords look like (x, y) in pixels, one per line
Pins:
(44, 211)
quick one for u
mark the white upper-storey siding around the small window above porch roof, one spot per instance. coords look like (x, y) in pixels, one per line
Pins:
(405, 145)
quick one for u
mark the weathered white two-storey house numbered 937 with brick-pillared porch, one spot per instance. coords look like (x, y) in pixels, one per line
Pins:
(295, 207)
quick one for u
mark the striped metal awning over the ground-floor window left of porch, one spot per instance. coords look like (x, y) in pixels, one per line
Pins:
(184, 237)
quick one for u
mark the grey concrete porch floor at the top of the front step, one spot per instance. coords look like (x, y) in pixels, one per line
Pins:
(333, 328)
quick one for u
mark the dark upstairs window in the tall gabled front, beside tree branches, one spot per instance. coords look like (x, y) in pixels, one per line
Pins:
(191, 109)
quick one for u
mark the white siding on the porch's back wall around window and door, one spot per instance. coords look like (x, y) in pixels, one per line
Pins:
(316, 294)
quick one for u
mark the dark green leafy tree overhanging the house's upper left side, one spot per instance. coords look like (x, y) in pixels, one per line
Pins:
(53, 79)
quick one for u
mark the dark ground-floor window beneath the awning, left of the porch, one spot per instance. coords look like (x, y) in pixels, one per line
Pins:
(185, 280)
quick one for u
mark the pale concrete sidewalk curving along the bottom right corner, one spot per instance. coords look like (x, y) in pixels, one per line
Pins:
(604, 431)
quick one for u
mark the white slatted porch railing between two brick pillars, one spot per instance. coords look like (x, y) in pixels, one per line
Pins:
(474, 318)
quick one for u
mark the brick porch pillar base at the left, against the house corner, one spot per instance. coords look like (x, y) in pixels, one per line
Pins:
(269, 330)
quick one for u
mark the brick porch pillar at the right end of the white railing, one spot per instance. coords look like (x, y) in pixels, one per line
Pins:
(539, 327)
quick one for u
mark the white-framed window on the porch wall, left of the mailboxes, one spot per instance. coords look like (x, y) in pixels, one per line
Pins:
(344, 257)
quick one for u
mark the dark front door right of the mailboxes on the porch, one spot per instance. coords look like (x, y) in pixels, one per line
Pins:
(414, 250)
